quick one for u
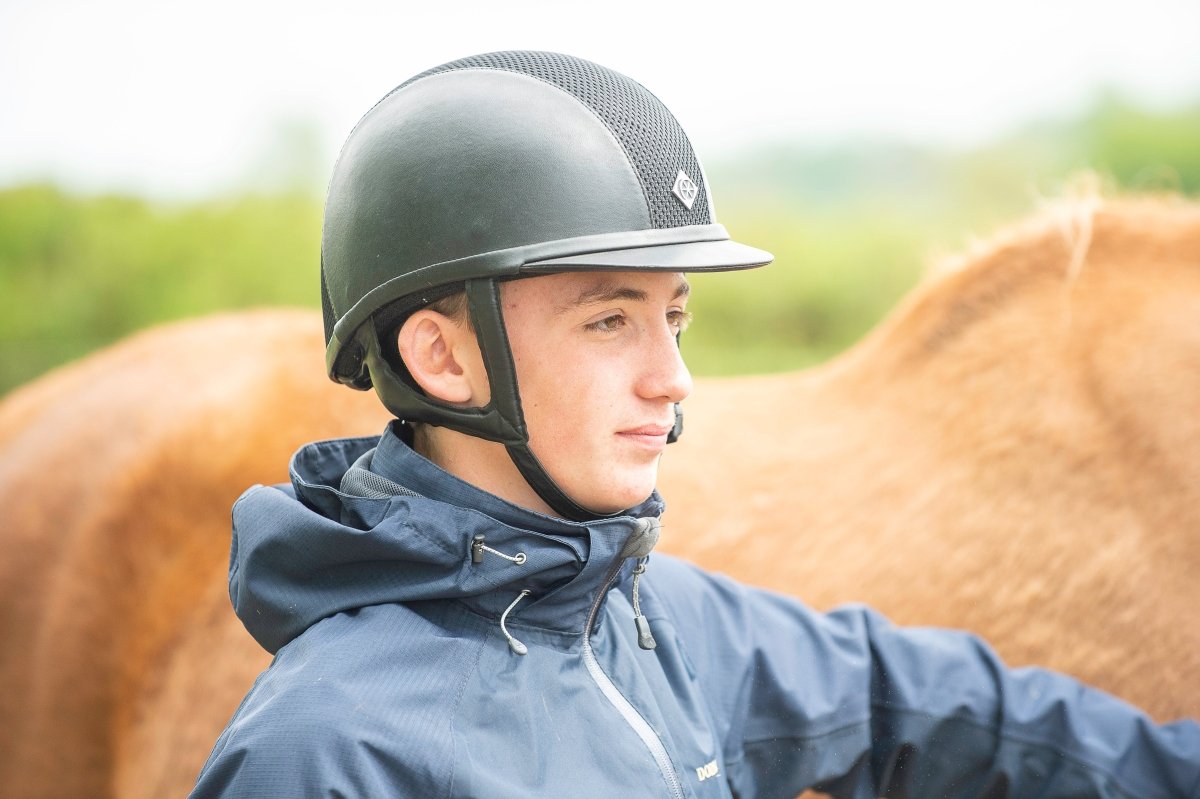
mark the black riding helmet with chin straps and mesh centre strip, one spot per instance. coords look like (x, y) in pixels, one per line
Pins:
(495, 167)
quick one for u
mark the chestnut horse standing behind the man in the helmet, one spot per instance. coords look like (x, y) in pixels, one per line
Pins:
(1015, 452)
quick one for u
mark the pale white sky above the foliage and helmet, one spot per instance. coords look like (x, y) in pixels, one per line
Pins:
(178, 100)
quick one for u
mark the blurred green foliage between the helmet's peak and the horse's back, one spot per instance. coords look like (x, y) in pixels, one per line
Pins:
(855, 226)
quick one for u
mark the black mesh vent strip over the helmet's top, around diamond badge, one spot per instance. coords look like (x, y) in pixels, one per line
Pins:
(652, 139)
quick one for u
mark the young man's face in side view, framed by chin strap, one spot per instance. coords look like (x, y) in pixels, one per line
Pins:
(599, 373)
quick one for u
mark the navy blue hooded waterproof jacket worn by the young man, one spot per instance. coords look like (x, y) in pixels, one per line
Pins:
(397, 671)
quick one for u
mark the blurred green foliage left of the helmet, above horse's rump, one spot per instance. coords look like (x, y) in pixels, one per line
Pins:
(77, 273)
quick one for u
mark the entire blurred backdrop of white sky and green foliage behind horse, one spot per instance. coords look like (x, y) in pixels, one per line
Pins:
(166, 160)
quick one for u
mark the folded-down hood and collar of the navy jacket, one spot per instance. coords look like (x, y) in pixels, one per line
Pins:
(310, 550)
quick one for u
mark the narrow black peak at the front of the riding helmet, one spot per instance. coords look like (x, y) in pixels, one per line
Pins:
(691, 257)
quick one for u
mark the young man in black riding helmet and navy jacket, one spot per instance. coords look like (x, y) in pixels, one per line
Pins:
(463, 606)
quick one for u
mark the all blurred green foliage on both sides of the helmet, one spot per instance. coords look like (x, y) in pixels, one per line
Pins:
(853, 227)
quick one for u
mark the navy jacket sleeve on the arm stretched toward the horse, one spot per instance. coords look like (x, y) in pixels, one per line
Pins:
(856, 707)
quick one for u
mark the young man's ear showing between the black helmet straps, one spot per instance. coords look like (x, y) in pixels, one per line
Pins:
(443, 357)
